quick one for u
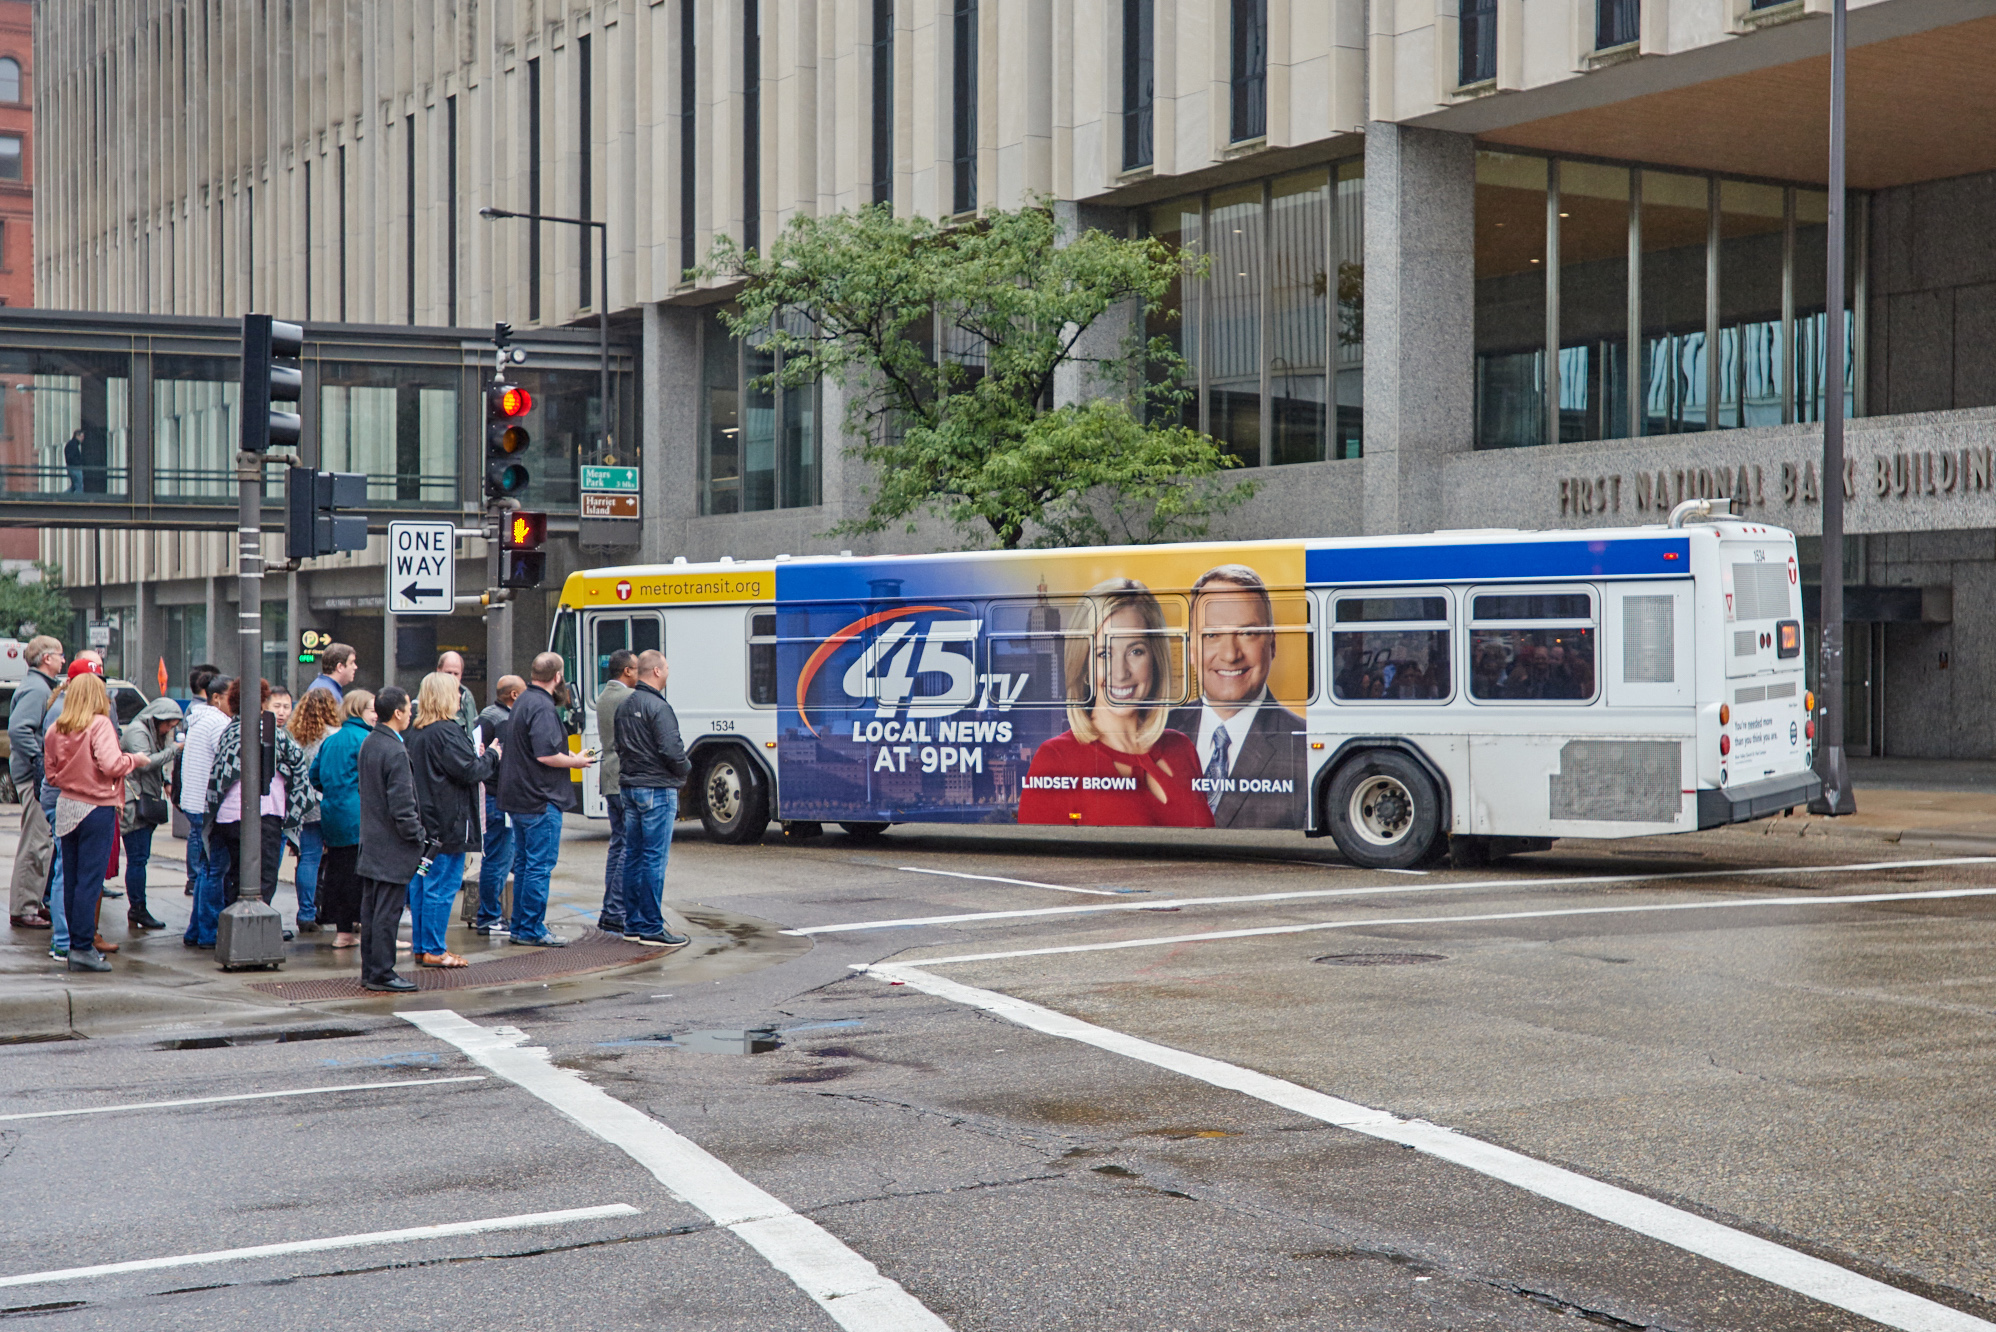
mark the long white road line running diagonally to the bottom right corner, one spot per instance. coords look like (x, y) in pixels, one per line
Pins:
(1736, 1249)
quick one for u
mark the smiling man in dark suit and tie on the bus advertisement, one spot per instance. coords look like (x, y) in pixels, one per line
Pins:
(1252, 758)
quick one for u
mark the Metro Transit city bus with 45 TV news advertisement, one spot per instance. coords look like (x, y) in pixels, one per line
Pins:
(1466, 694)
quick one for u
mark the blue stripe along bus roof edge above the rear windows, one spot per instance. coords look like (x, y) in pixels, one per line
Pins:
(1500, 560)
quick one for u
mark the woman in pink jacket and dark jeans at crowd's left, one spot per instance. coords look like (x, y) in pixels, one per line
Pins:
(89, 768)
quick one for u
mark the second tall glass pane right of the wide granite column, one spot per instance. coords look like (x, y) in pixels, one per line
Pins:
(1594, 301)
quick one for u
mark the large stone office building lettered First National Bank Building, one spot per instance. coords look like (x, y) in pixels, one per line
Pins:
(1470, 263)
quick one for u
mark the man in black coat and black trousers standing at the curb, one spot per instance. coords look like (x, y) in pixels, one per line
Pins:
(392, 840)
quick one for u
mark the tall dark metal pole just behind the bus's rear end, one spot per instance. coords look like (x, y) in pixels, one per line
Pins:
(1831, 764)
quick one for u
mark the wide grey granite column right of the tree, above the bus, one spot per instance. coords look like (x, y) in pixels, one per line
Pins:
(1420, 321)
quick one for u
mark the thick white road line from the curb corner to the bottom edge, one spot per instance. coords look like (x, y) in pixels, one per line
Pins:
(843, 1283)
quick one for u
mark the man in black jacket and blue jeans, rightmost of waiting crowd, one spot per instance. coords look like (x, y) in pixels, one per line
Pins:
(652, 770)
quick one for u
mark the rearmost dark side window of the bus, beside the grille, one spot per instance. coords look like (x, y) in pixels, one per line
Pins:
(1532, 646)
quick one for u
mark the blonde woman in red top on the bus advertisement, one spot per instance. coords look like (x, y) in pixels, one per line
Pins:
(1119, 764)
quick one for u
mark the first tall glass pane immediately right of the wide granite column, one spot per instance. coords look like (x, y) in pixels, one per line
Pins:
(1510, 301)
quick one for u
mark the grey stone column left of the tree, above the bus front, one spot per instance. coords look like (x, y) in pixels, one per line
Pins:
(672, 426)
